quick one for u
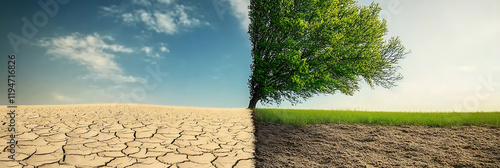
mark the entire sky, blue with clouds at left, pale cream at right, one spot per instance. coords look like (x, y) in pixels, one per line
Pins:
(197, 53)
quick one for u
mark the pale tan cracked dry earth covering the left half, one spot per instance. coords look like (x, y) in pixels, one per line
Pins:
(126, 135)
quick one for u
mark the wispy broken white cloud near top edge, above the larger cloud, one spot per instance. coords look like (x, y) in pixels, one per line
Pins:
(162, 17)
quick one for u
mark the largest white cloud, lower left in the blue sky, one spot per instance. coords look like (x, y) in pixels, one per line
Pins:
(94, 52)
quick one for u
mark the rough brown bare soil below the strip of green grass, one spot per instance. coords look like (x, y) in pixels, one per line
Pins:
(355, 145)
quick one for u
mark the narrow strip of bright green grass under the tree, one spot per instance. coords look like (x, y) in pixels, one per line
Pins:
(303, 117)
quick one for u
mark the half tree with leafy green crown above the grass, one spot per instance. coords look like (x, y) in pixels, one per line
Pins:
(301, 48)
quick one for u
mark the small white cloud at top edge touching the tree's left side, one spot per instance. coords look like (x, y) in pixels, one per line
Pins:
(240, 11)
